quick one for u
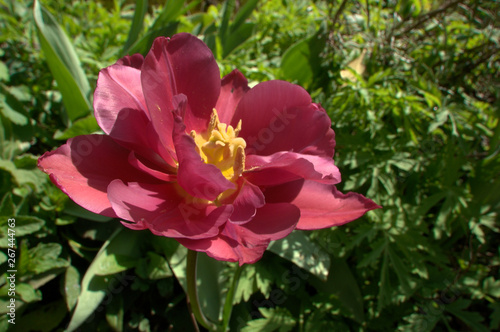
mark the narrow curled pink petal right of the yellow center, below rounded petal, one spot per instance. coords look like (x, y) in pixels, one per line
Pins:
(284, 167)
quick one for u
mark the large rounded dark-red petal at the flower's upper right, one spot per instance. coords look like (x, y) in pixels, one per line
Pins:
(279, 116)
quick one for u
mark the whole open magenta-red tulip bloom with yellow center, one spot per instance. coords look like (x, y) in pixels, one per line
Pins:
(221, 168)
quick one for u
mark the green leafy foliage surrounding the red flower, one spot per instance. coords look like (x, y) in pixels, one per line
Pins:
(412, 88)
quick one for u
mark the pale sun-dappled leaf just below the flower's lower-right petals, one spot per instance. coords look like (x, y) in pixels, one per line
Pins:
(298, 249)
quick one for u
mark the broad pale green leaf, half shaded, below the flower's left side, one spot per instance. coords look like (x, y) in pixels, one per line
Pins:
(96, 285)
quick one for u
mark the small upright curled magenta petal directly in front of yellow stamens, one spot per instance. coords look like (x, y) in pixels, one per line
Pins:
(194, 175)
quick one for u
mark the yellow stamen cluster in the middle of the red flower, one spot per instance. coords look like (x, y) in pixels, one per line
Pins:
(220, 145)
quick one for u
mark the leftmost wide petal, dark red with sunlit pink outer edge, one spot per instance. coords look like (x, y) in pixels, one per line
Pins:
(85, 166)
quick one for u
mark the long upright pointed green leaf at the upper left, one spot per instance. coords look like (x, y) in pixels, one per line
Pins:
(63, 63)
